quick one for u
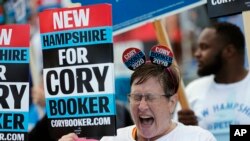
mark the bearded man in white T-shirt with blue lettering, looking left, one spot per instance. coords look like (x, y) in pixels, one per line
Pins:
(221, 96)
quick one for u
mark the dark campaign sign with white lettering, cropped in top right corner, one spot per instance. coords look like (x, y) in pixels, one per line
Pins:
(217, 8)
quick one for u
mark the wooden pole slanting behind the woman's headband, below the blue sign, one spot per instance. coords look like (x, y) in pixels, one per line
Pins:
(164, 40)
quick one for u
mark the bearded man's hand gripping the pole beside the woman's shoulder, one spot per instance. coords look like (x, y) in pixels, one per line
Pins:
(187, 117)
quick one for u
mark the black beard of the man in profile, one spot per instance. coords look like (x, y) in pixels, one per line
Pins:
(213, 67)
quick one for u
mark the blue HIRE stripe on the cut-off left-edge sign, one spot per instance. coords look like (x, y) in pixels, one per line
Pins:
(14, 55)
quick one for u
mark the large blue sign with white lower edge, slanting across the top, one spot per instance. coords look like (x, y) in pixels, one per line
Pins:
(128, 14)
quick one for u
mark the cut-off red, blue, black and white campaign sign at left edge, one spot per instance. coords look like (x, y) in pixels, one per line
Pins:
(14, 82)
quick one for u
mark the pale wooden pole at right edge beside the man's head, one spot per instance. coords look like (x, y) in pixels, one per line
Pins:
(246, 22)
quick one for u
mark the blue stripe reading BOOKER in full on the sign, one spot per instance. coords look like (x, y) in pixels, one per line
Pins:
(81, 106)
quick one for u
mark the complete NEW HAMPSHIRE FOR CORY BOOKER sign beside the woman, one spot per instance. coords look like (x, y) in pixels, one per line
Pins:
(79, 70)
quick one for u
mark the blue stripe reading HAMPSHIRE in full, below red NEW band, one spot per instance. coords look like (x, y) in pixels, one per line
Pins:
(79, 37)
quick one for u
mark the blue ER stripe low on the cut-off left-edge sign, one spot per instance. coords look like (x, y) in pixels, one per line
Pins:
(14, 121)
